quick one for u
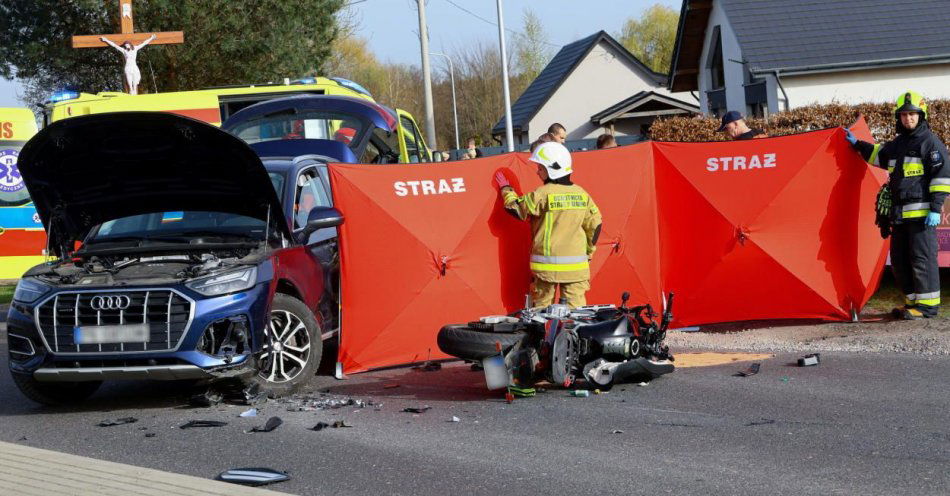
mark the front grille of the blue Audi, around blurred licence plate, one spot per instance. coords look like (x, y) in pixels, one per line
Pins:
(167, 314)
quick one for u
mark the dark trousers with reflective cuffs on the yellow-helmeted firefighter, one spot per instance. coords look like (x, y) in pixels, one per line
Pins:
(914, 261)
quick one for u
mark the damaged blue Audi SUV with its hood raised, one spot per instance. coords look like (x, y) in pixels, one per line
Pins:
(174, 258)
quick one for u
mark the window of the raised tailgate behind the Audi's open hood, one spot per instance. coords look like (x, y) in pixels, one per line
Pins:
(347, 129)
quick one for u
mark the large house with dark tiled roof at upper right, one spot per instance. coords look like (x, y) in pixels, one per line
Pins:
(764, 56)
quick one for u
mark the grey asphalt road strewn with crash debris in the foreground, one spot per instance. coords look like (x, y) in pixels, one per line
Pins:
(856, 424)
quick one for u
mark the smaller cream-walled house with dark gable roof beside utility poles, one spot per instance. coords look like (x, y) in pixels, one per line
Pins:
(592, 86)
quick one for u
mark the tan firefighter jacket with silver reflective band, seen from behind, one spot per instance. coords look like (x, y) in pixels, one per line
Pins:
(565, 223)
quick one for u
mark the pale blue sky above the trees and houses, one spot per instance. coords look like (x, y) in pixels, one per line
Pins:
(391, 26)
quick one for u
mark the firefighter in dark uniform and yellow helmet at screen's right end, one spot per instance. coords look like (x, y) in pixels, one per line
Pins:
(919, 182)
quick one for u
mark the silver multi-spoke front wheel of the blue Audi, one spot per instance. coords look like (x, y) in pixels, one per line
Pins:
(287, 349)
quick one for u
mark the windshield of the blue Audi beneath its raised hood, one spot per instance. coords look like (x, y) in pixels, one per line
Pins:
(180, 227)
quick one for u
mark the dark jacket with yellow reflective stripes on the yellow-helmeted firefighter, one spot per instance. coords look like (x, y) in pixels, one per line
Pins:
(919, 176)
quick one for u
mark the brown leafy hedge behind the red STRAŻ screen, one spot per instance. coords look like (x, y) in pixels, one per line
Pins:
(880, 117)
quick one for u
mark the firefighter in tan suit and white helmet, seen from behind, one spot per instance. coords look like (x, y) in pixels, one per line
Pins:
(565, 224)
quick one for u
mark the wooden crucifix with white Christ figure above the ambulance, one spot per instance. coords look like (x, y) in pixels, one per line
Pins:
(128, 43)
